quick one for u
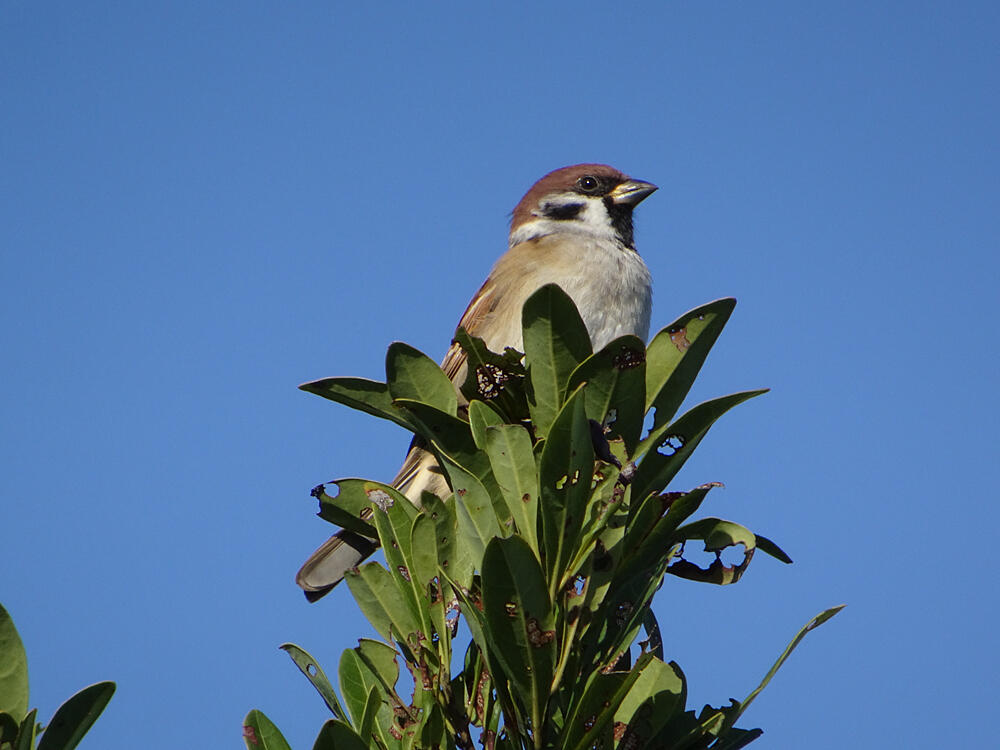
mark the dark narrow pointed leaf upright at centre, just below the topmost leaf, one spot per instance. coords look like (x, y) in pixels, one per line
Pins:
(566, 471)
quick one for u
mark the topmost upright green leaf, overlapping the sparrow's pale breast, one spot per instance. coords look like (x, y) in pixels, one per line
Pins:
(555, 342)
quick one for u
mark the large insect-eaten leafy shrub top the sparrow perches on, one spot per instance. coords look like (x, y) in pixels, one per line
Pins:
(557, 536)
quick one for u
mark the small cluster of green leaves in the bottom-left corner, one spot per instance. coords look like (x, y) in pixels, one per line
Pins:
(18, 728)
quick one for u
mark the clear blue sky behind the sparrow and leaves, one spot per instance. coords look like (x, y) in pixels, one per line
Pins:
(201, 207)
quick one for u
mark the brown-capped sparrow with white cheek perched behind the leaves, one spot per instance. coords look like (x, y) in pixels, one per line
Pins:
(572, 228)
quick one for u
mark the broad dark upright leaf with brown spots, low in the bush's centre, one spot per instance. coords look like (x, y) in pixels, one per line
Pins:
(519, 620)
